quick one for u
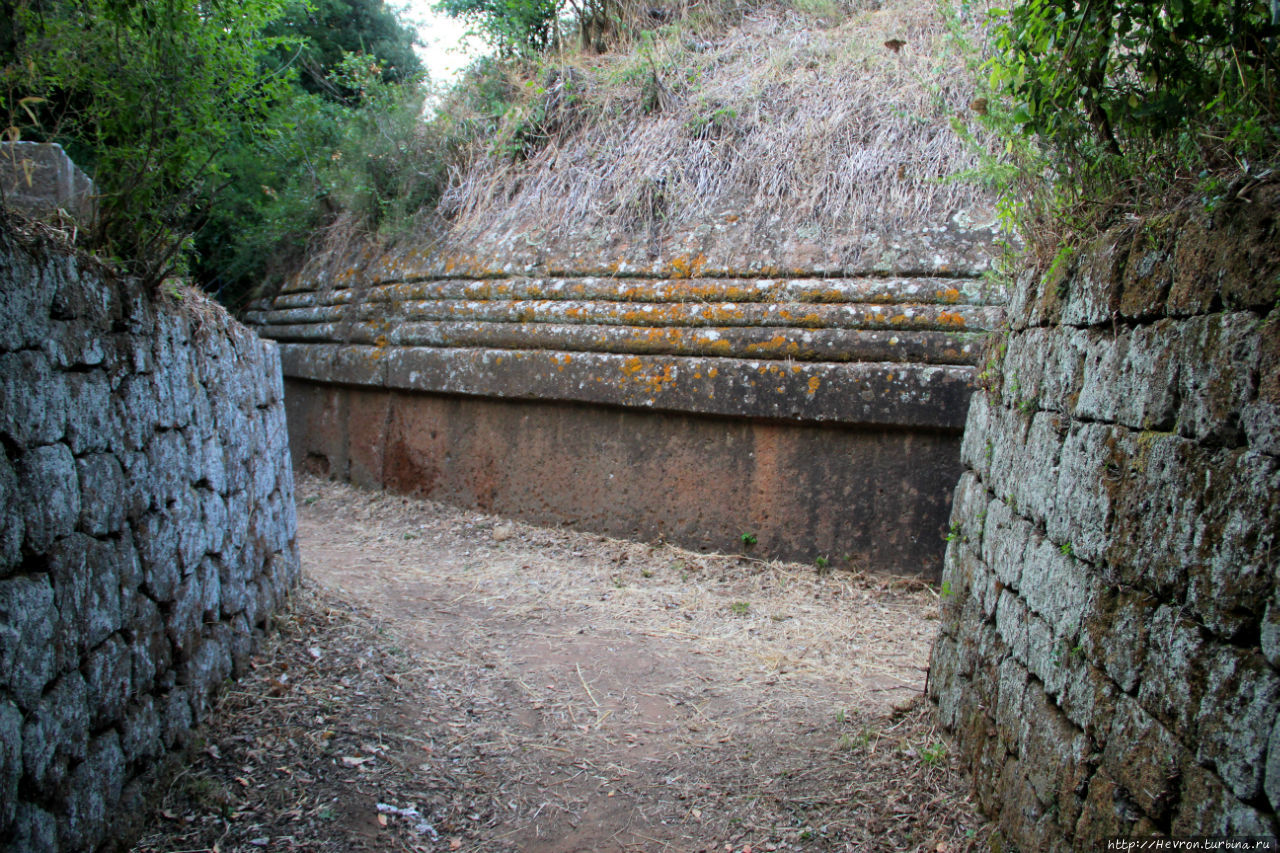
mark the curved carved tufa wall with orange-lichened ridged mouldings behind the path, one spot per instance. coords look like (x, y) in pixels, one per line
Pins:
(680, 403)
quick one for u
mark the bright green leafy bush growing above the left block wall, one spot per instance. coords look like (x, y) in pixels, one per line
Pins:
(147, 97)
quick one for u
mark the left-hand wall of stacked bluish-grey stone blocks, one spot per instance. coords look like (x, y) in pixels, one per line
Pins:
(147, 530)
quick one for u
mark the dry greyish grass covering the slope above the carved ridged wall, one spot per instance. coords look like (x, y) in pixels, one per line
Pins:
(815, 124)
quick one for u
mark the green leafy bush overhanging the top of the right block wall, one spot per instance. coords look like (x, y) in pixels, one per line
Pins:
(1110, 106)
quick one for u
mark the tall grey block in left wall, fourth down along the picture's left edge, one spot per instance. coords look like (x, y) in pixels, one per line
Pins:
(29, 624)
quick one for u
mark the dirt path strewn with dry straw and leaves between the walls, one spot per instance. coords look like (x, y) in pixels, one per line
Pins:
(548, 691)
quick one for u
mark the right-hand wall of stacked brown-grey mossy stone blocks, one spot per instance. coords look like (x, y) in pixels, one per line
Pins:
(1110, 633)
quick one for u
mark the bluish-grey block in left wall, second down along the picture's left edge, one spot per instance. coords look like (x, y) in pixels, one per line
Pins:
(34, 400)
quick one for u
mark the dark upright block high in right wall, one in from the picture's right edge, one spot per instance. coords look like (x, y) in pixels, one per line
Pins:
(1218, 359)
